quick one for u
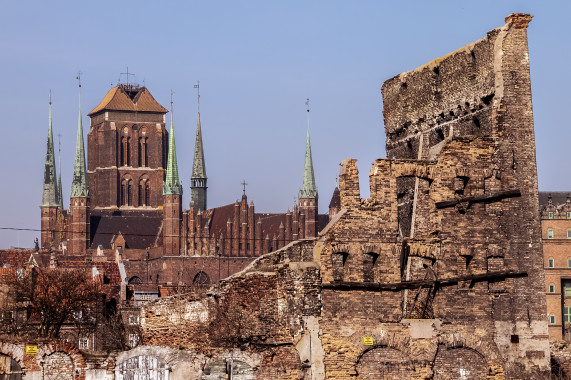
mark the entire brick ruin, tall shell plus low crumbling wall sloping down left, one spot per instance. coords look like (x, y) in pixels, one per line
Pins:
(437, 275)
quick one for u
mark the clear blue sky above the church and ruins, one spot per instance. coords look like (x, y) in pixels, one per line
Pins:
(257, 62)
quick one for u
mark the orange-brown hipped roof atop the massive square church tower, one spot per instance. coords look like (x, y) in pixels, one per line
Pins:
(129, 98)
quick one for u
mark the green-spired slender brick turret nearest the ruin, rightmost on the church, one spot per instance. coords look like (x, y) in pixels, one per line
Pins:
(308, 193)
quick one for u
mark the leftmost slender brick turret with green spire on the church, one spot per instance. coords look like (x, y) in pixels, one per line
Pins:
(50, 194)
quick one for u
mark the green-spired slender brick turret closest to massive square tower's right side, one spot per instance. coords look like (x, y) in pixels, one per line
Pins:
(172, 200)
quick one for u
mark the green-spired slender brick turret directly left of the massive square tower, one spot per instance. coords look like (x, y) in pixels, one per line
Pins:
(79, 199)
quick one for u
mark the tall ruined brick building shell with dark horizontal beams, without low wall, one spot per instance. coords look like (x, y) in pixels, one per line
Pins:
(442, 268)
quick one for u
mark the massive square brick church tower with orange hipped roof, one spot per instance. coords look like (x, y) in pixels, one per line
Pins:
(127, 150)
